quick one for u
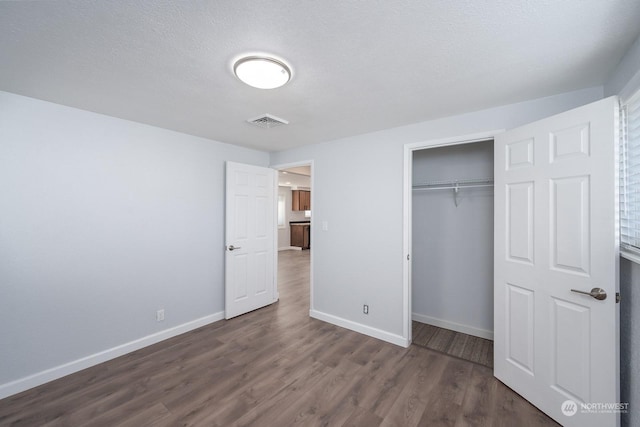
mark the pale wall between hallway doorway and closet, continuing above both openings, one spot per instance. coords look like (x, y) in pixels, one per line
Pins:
(358, 187)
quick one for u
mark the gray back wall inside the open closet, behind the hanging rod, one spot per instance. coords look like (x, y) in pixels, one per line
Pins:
(452, 266)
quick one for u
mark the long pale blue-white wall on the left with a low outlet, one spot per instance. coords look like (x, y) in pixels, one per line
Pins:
(102, 222)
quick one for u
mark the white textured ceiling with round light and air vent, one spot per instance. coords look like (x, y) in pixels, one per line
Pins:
(359, 66)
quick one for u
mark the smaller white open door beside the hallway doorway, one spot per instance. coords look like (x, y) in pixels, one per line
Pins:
(250, 251)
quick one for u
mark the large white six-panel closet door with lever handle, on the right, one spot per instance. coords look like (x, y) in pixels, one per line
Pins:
(555, 238)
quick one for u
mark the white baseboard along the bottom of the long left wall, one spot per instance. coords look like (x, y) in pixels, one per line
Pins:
(43, 377)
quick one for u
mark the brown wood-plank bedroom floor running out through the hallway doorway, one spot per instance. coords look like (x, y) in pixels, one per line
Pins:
(275, 367)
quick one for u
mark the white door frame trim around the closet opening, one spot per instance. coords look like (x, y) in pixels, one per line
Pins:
(407, 223)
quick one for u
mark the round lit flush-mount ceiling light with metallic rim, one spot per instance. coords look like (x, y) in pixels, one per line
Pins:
(262, 72)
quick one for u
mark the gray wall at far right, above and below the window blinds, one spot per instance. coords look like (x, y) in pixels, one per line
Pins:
(624, 80)
